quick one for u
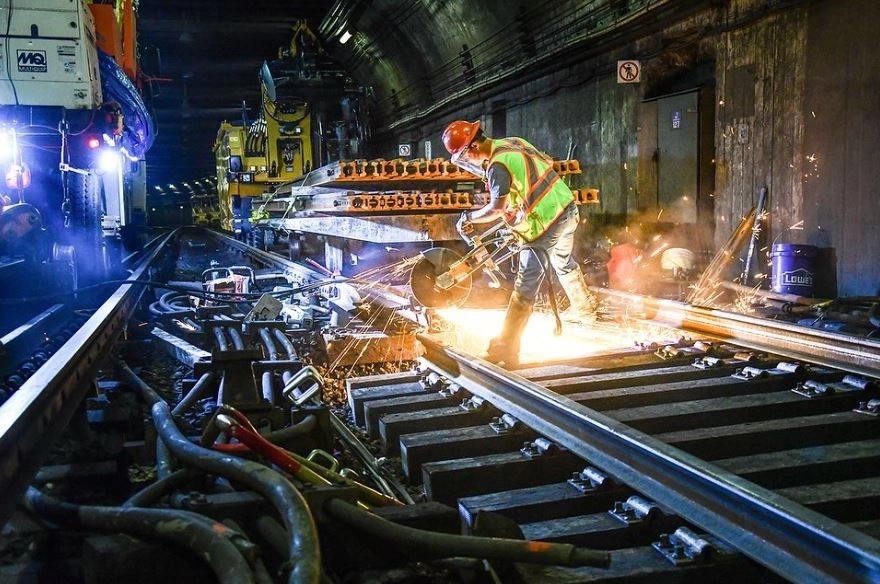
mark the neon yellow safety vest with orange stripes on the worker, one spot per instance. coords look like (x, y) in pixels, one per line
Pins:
(537, 195)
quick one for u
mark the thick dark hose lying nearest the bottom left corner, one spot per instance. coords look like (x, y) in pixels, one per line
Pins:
(207, 539)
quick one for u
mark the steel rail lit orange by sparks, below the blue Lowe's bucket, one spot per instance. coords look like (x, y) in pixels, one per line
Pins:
(835, 350)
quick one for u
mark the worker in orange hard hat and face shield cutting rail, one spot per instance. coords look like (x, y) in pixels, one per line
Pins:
(540, 209)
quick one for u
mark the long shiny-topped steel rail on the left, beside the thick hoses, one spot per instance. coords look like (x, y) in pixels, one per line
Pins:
(34, 416)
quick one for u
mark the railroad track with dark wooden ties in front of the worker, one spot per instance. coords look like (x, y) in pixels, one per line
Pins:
(711, 460)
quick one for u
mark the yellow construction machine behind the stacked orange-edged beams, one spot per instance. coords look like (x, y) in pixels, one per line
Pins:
(306, 111)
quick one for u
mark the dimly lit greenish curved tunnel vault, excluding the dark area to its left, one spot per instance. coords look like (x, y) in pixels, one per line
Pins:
(425, 58)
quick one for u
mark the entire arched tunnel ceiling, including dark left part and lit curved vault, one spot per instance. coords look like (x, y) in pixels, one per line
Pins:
(420, 59)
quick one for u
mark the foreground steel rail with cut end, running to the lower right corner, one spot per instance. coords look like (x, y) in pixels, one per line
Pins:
(787, 538)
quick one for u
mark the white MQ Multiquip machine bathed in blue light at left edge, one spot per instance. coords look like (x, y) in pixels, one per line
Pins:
(74, 130)
